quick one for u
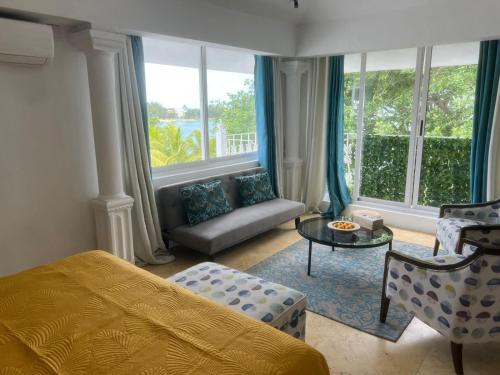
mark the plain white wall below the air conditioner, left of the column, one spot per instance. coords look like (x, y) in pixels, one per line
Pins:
(47, 161)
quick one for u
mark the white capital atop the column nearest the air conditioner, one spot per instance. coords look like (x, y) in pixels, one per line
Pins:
(90, 40)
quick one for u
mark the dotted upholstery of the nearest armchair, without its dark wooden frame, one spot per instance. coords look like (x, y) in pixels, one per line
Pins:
(462, 304)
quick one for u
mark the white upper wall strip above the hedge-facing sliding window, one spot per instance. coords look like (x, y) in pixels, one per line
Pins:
(446, 21)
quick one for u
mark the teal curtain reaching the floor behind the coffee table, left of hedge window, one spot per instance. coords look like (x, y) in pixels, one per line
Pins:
(335, 174)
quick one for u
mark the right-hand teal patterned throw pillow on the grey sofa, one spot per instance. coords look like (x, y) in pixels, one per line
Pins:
(255, 188)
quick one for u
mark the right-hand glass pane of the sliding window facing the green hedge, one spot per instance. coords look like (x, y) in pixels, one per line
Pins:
(445, 141)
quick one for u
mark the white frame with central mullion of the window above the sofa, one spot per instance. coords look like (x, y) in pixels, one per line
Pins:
(247, 158)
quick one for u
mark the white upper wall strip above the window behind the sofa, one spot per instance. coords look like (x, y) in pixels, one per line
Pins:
(191, 19)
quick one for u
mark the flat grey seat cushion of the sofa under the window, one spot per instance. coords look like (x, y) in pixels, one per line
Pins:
(241, 224)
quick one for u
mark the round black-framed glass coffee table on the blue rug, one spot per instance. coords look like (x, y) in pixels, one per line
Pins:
(316, 230)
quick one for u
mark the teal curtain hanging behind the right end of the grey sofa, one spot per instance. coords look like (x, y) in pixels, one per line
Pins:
(264, 108)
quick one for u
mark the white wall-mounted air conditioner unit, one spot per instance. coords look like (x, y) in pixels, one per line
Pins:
(25, 42)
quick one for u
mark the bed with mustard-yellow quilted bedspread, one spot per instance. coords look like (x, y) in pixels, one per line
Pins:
(93, 313)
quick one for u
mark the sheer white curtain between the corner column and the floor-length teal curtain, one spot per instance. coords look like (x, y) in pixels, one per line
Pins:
(313, 185)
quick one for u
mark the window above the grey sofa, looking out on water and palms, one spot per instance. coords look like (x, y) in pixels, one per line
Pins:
(200, 102)
